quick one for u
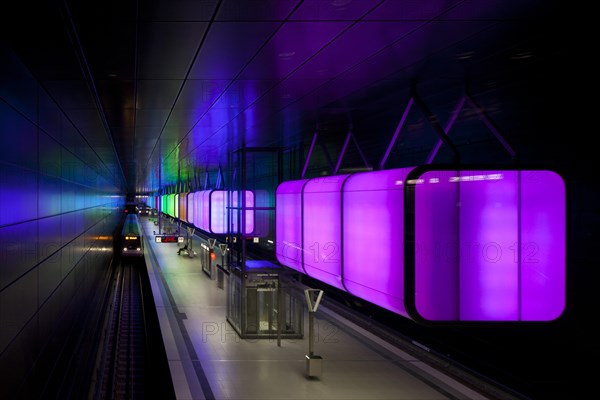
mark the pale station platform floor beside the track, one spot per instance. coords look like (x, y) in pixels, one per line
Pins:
(208, 360)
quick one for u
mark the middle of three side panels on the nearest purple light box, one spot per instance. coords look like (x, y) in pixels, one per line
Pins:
(322, 234)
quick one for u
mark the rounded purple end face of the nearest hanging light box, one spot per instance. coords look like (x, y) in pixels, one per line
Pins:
(489, 245)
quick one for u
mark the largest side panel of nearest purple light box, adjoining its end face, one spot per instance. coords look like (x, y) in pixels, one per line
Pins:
(373, 234)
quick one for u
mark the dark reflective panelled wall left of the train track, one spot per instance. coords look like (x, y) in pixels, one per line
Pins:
(58, 209)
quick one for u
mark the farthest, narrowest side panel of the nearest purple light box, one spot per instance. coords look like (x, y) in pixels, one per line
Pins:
(288, 224)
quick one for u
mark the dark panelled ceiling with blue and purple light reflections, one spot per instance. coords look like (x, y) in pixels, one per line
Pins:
(159, 85)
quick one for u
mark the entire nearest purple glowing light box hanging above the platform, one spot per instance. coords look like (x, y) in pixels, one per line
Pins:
(432, 245)
